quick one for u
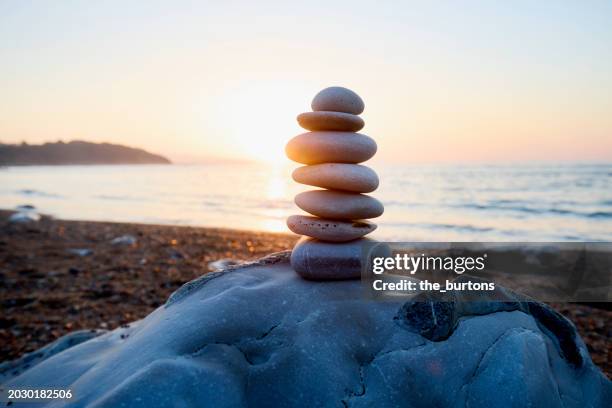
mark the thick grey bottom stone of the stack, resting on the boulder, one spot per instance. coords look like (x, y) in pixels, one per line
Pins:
(323, 261)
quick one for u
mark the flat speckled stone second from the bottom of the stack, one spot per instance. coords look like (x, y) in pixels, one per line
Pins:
(329, 230)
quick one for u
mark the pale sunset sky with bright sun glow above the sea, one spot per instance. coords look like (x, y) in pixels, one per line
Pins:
(443, 81)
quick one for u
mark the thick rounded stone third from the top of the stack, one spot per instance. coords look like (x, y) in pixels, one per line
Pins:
(330, 147)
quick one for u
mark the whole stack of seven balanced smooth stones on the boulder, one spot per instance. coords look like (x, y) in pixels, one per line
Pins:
(331, 150)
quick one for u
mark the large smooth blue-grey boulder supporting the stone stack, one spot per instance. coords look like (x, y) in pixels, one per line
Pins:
(259, 335)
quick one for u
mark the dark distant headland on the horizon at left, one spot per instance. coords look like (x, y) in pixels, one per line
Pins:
(75, 152)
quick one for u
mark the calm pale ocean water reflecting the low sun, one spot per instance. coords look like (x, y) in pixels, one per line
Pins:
(552, 202)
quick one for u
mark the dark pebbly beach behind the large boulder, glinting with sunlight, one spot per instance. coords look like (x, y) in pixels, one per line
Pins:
(58, 276)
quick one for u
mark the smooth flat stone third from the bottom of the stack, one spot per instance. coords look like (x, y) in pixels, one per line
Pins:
(339, 205)
